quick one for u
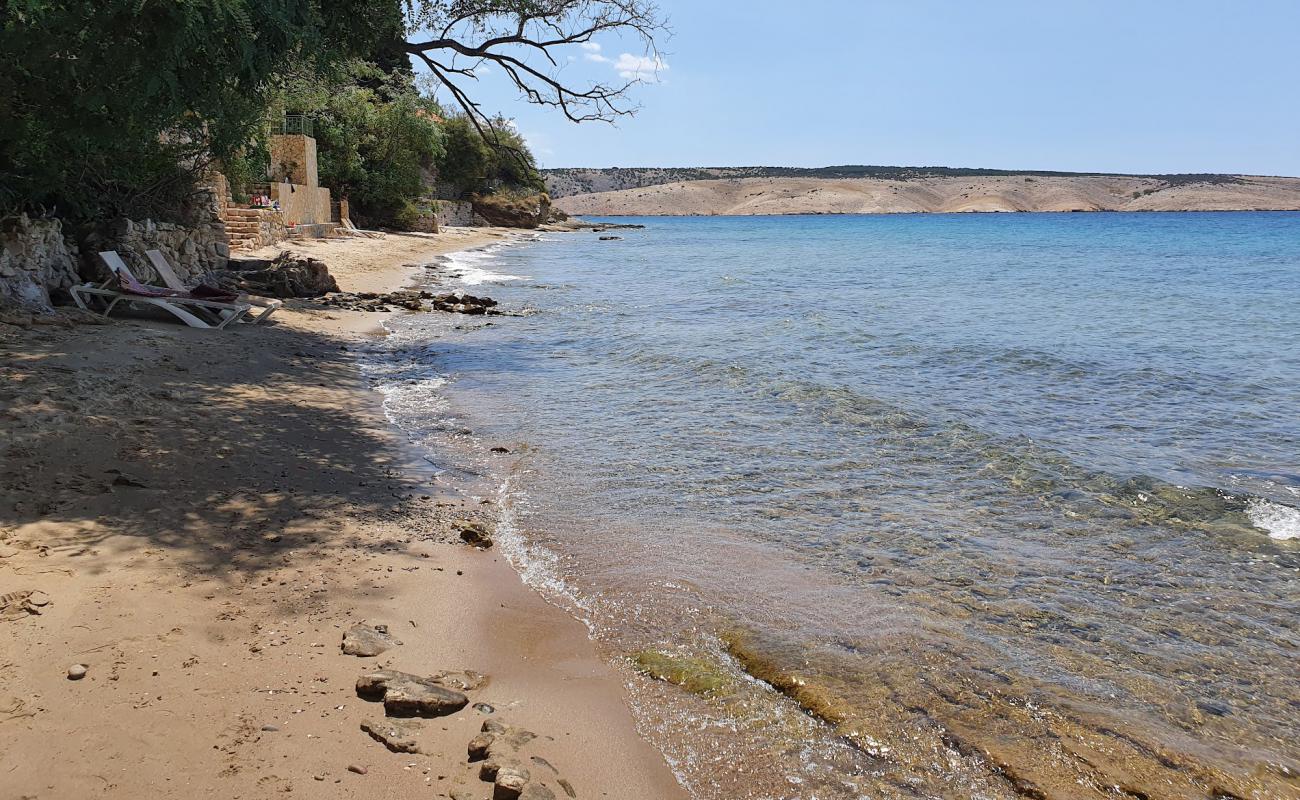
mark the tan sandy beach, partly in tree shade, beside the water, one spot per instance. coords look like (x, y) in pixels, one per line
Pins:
(203, 516)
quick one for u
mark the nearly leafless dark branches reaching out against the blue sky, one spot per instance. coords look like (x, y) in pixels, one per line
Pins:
(523, 38)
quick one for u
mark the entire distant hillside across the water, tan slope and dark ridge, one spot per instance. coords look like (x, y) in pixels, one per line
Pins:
(765, 191)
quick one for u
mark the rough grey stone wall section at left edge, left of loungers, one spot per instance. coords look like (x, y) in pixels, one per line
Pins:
(36, 260)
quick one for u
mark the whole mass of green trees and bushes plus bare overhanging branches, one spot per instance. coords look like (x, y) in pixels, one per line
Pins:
(115, 107)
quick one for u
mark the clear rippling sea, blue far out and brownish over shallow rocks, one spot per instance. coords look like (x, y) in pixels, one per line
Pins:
(1002, 505)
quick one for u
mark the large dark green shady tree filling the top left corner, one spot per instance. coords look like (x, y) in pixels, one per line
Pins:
(115, 106)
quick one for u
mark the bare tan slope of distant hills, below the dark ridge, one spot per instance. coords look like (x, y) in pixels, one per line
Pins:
(739, 197)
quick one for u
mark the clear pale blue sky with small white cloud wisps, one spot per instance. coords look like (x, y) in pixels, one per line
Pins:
(1136, 87)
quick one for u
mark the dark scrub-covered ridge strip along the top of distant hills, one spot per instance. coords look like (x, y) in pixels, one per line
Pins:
(567, 183)
